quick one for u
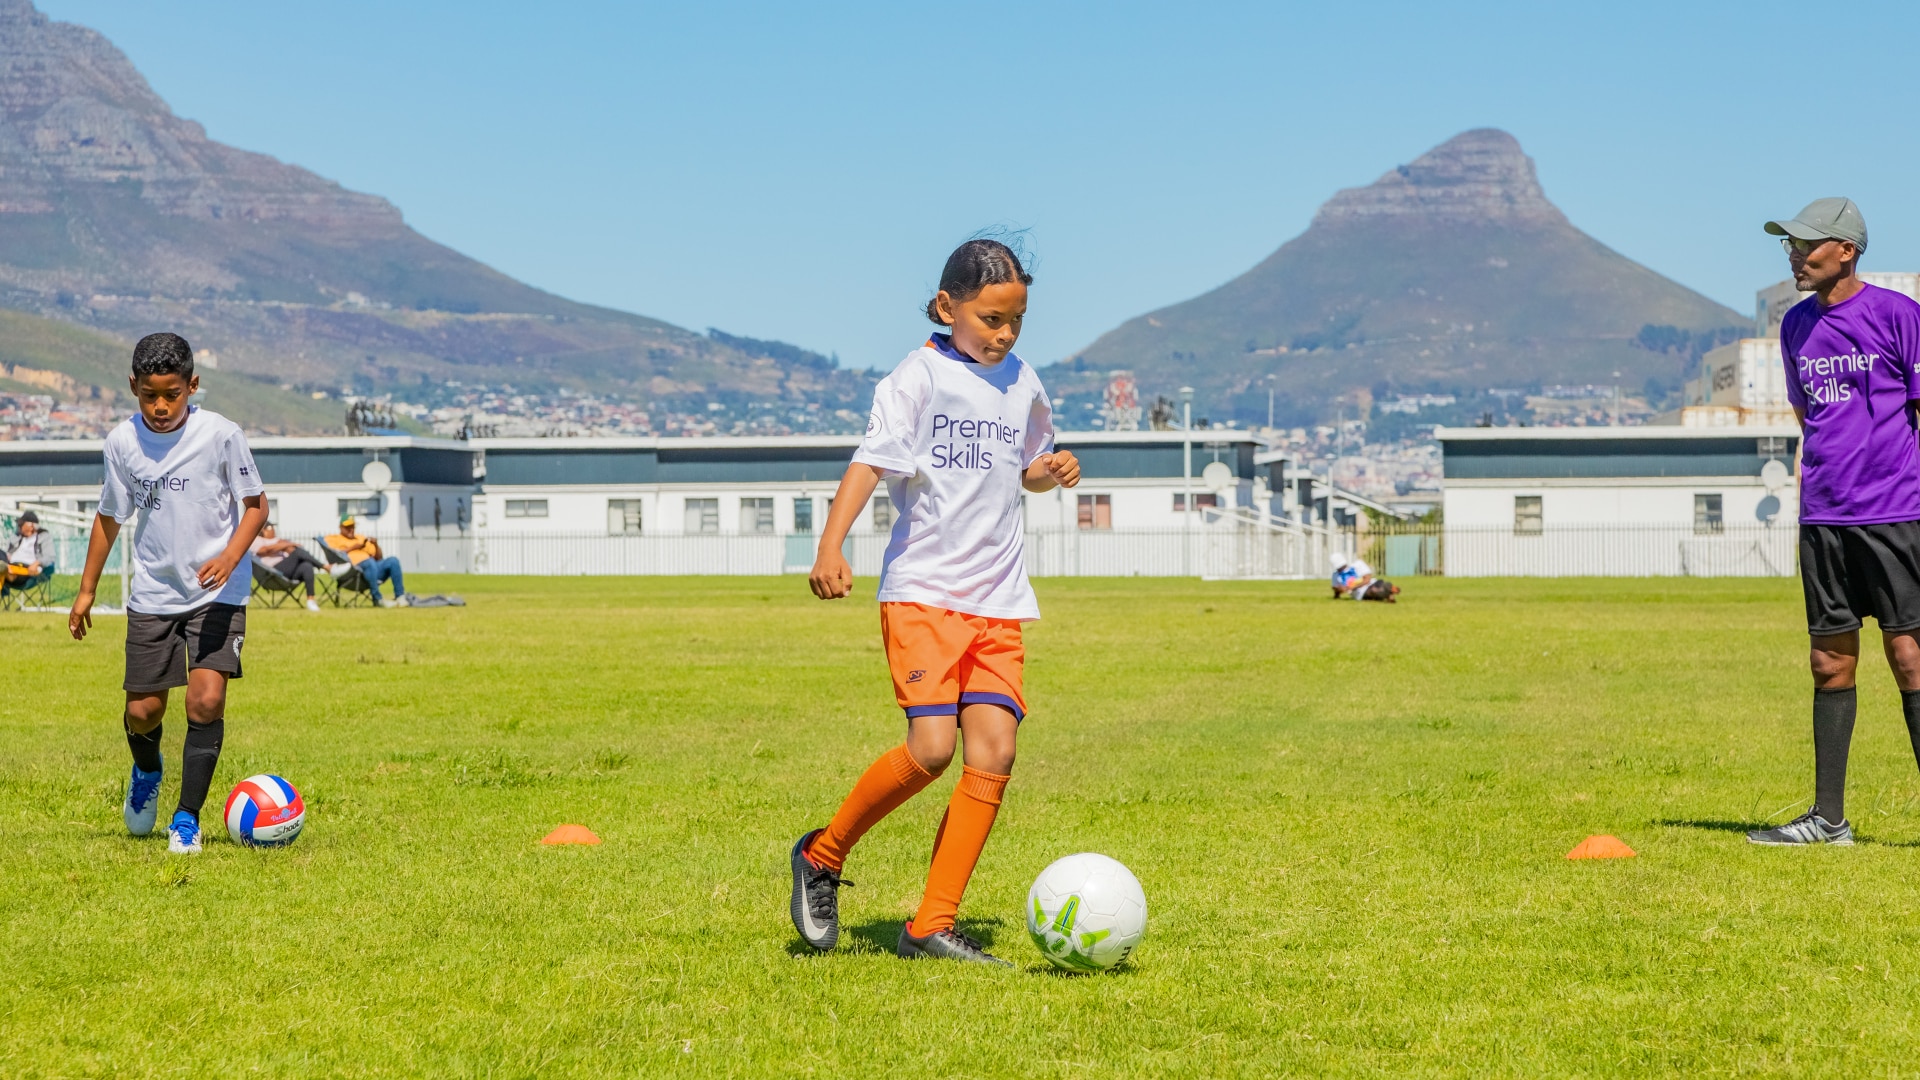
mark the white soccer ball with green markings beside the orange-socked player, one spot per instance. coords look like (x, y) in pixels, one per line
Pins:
(1086, 912)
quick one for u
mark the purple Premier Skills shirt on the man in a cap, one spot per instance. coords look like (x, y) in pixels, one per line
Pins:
(1854, 370)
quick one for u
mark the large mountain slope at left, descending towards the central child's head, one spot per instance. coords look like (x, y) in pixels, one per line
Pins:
(124, 218)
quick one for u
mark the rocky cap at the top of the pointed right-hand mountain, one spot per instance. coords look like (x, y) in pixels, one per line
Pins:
(1477, 178)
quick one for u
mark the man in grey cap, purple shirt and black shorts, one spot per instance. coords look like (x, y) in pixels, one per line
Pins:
(1854, 372)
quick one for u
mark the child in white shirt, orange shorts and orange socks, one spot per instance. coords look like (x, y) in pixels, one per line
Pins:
(957, 431)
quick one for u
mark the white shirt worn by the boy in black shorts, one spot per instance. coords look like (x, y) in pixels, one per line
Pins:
(183, 491)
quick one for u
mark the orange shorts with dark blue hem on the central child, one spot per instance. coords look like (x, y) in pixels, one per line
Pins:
(944, 660)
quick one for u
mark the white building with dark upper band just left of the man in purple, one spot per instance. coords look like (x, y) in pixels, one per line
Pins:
(1629, 501)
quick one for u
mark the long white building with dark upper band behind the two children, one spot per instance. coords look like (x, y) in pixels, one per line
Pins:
(679, 504)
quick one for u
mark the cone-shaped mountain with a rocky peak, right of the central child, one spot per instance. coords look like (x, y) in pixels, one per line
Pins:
(1452, 274)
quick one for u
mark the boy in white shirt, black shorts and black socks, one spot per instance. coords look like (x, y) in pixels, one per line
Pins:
(187, 479)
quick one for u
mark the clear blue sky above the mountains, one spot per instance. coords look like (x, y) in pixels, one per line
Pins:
(802, 172)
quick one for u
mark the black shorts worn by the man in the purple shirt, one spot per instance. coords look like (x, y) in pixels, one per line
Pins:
(1852, 572)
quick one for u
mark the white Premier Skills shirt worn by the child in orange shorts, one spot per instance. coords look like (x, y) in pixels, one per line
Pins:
(953, 439)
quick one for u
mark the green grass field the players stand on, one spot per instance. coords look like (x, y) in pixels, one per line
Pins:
(1351, 823)
